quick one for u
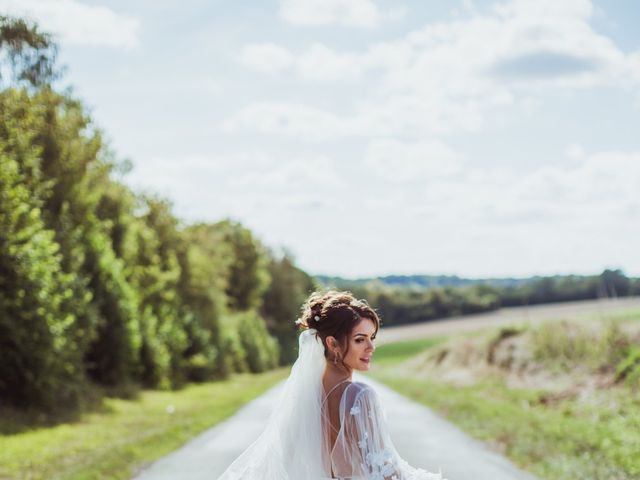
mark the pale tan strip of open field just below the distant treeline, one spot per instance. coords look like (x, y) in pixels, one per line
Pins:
(508, 316)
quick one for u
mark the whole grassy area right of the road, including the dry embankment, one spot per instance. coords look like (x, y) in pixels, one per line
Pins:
(560, 398)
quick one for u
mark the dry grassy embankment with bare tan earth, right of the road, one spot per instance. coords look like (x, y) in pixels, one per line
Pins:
(568, 359)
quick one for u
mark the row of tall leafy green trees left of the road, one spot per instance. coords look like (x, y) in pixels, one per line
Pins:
(101, 284)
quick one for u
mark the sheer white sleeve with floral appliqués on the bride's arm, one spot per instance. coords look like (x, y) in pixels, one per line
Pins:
(372, 448)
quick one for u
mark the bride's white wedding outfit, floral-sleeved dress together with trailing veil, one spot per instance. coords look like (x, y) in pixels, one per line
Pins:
(303, 442)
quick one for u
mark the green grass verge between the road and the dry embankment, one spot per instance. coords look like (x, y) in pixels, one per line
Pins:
(567, 440)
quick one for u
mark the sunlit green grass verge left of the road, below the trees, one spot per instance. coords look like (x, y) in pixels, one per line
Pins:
(128, 434)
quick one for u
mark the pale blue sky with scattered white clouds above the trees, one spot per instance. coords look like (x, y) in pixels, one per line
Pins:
(375, 137)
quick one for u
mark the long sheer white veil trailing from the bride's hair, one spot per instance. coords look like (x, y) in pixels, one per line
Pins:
(292, 446)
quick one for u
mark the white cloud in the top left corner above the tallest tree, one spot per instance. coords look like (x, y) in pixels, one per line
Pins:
(77, 23)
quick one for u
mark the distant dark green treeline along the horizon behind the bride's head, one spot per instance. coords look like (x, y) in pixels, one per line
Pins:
(401, 304)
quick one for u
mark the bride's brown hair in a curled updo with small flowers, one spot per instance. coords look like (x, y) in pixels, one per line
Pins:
(335, 314)
